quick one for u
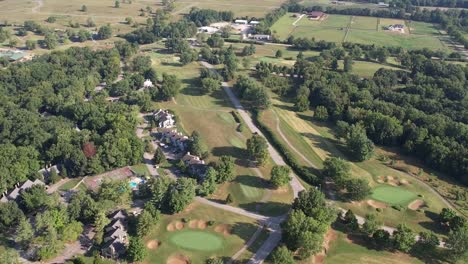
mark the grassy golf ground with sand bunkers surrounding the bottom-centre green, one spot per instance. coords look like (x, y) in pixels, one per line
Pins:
(228, 233)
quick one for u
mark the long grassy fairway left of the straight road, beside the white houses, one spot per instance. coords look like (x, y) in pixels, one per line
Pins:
(211, 116)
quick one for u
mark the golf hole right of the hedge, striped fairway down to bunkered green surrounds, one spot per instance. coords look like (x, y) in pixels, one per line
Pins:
(320, 143)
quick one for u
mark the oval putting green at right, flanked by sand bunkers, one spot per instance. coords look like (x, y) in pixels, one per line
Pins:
(393, 195)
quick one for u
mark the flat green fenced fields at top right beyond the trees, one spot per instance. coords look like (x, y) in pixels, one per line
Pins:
(366, 30)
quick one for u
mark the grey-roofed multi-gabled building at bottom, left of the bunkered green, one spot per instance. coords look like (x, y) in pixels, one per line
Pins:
(115, 236)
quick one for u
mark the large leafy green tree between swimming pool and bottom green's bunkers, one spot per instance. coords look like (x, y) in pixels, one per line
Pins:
(181, 194)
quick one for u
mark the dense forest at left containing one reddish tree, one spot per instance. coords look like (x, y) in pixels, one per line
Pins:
(49, 114)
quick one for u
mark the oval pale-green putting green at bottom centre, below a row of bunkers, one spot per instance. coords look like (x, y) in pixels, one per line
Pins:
(197, 240)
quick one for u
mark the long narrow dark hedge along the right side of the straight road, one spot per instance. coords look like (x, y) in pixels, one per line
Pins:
(301, 171)
